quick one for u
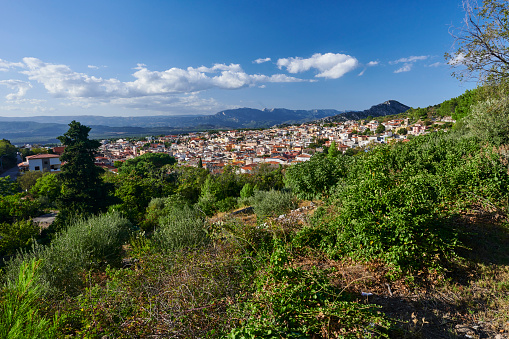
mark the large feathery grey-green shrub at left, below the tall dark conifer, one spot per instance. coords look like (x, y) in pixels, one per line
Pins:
(84, 245)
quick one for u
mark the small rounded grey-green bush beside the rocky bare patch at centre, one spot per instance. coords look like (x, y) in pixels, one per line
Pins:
(272, 203)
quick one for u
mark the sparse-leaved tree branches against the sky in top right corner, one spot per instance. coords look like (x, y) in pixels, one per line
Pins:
(482, 44)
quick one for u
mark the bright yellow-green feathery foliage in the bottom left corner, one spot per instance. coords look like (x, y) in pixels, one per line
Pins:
(19, 314)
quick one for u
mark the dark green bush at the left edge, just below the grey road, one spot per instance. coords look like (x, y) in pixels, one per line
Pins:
(16, 236)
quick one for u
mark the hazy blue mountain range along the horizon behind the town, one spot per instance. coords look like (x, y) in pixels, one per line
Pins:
(39, 130)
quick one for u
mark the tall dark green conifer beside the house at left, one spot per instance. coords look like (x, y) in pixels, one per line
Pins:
(83, 191)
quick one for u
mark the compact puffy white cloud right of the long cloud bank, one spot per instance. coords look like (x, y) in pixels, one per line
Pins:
(330, 65)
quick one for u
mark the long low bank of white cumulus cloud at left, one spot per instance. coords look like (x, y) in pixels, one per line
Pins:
(61, 81)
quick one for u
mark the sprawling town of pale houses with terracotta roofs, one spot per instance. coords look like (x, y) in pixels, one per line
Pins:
(245, 149)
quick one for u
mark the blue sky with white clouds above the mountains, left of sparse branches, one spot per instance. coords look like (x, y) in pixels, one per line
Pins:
(151, 57)
